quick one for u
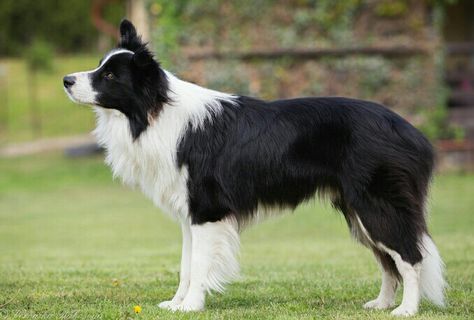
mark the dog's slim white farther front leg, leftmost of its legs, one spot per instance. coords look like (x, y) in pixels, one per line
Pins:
(185, 272)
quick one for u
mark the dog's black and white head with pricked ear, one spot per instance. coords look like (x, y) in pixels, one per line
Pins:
(127, 79)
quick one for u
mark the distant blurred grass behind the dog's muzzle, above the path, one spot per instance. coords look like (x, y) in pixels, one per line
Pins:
(59, 116)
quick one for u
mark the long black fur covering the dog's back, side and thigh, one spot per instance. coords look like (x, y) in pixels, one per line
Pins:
(281, 153)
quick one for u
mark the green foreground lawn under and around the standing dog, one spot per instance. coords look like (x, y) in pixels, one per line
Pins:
(75, 245)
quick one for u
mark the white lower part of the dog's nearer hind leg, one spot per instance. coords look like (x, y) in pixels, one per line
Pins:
(411, 284)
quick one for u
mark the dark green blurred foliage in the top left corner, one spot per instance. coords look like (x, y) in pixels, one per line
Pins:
(65, 24)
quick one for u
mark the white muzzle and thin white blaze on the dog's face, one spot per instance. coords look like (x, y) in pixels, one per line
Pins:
(82, 91)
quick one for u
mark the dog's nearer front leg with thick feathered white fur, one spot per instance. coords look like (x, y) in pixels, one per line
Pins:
(215, 247)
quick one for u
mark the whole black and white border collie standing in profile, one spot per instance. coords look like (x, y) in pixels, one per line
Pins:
(218, 162)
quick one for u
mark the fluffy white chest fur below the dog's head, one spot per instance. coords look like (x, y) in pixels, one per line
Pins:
(148, 163)
